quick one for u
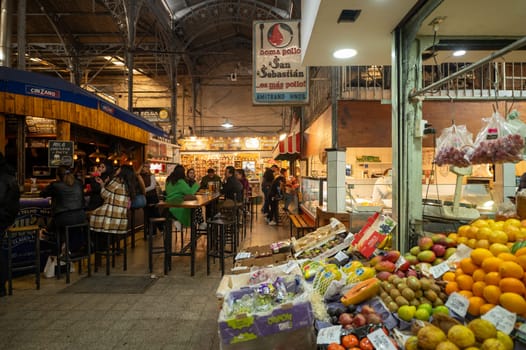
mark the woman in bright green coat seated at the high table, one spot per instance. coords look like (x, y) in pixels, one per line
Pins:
(176, 189)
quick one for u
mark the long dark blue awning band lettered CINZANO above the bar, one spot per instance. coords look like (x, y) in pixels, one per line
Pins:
(38, 85)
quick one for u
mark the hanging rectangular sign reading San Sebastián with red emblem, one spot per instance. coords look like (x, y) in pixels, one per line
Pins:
(279, 77)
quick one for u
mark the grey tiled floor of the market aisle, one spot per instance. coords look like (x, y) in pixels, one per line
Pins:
(176, 312)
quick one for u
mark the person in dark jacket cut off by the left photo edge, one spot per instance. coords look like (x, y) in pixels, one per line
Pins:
(9, 206)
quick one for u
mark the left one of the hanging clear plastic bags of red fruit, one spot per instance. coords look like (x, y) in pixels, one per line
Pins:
(453, 145)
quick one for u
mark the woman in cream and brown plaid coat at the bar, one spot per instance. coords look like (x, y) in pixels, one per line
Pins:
(112, 216)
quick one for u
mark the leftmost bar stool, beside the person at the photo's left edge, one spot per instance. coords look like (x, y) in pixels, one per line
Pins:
(32, 230)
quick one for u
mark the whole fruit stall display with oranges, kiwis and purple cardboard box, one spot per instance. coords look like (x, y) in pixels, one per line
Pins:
(450, 291)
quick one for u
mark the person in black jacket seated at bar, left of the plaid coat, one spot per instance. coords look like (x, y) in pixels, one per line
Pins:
(67, 204)
